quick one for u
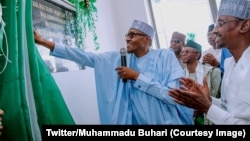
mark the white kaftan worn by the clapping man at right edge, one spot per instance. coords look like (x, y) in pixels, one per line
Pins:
(233, 106)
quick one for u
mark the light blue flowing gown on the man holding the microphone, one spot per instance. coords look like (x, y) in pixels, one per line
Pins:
(144, 101)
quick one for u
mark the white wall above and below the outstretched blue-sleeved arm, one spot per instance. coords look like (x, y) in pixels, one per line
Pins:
(78, 87)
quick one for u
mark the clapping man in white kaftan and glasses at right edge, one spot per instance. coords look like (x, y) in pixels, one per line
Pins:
(232, 30)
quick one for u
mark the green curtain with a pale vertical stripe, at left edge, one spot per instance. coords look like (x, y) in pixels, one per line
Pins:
(29, 95)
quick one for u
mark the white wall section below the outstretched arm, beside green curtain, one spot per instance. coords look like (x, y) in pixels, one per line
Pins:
(78, 89)
